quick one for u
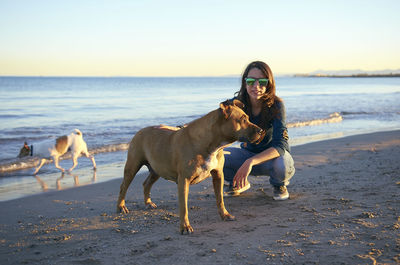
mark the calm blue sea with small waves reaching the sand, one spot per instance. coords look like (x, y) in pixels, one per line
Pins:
(110, 110)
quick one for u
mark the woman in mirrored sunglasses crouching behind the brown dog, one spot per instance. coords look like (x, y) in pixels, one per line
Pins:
(271, 156)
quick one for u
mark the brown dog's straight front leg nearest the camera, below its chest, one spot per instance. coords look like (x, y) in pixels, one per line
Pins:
(183, 191)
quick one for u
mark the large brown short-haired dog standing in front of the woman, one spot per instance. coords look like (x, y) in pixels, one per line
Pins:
(188, 155)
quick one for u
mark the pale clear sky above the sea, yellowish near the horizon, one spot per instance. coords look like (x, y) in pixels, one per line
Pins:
(195, 38)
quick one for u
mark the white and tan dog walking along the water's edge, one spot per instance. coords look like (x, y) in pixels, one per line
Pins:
(55, 148)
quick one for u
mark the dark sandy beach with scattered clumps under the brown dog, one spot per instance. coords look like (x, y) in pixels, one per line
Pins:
(344, 209)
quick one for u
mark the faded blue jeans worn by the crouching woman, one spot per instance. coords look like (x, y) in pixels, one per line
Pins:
(280, 169)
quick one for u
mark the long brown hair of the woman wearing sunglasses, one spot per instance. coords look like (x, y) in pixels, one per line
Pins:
(269, 109)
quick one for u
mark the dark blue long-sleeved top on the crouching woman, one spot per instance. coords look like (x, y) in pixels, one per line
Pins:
(276, 133)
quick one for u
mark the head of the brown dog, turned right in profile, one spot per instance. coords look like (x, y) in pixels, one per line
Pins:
(237, 125)
